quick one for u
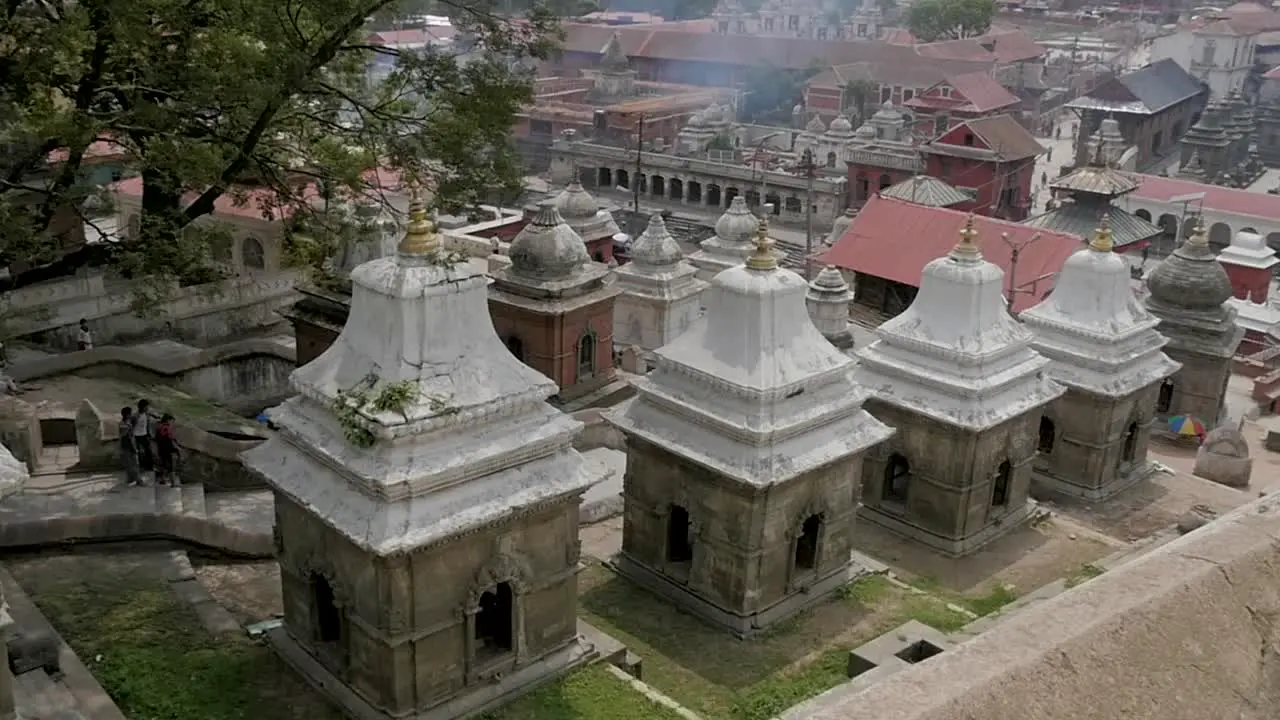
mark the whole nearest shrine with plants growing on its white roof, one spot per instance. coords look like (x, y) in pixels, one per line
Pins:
(427, 502)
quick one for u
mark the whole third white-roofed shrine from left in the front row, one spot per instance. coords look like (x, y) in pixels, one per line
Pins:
(958, 379)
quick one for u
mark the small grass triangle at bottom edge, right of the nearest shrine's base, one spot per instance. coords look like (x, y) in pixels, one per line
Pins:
(592, 694)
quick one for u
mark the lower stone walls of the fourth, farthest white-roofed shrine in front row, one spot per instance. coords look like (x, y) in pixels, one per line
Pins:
(1091, 446)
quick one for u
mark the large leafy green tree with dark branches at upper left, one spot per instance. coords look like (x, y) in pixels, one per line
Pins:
(209, 98)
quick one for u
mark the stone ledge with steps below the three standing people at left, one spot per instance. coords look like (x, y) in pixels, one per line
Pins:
(98, 509)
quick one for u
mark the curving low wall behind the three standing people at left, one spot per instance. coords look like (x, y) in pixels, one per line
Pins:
(244, 376)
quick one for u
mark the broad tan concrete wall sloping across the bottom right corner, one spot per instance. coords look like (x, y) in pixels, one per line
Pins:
(1187, 632)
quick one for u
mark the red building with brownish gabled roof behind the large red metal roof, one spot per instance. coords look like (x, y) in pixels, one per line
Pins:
(991, 158)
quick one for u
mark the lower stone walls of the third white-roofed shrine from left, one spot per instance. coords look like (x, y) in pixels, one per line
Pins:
(947, 487)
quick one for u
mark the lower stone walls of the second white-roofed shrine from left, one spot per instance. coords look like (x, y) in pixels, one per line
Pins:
(738, 557)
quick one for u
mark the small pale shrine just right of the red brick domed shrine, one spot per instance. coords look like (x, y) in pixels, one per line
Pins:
(661, 298)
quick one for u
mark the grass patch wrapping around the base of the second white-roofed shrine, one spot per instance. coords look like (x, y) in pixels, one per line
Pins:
(723, 678)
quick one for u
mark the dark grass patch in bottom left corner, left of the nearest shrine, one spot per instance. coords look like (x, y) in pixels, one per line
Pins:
(158, 663)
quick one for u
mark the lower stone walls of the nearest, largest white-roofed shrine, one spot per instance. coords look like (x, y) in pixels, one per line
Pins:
(410, 634)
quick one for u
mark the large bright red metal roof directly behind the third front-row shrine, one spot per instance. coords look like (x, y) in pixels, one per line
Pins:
(894, 240)
